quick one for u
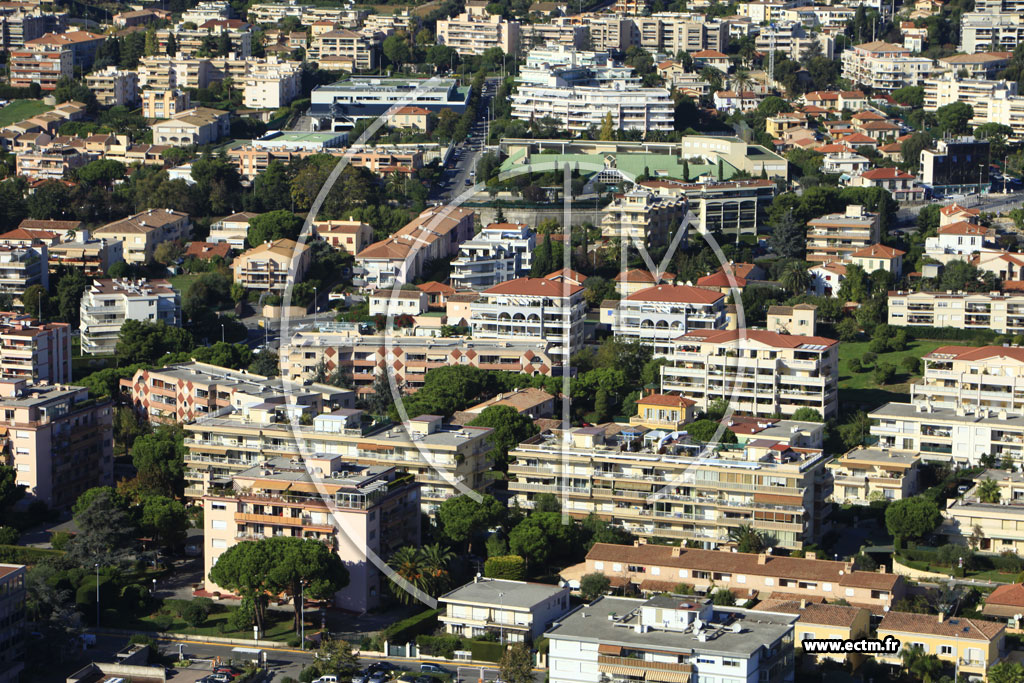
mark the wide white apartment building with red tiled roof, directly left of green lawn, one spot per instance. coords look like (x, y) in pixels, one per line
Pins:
(758, 372)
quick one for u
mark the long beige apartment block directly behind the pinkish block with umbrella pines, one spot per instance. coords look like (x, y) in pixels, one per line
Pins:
(446, 460)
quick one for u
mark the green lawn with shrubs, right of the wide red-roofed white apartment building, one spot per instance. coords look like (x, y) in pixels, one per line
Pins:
(860, 391)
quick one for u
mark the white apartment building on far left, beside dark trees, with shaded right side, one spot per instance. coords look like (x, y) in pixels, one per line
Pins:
(108, 304)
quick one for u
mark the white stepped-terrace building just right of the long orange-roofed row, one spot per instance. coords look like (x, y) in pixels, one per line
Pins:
(500, 252)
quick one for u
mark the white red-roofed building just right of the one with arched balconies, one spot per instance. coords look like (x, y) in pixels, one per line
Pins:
(661, 315)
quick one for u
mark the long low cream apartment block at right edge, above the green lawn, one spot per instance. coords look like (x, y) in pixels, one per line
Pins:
(1003, 314)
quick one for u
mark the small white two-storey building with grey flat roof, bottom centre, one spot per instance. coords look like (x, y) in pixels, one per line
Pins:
(517, 612)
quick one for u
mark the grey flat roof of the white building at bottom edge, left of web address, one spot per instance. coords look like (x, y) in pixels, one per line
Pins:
(591, 624)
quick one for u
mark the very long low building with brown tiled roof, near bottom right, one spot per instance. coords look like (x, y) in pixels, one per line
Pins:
(656, 568)
